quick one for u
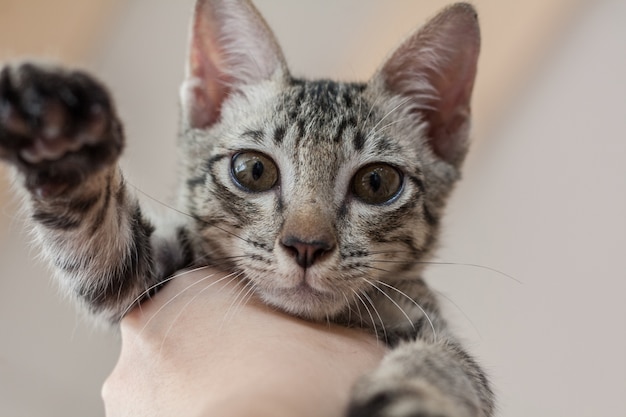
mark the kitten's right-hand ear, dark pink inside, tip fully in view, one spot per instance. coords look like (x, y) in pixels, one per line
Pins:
(434, 71)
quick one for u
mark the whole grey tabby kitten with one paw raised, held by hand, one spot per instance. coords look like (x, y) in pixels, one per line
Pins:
(325, 197)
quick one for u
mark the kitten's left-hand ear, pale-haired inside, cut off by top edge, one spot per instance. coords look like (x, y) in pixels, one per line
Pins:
(231, 46)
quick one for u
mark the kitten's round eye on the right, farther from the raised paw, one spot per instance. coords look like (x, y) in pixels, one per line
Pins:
(377, 183)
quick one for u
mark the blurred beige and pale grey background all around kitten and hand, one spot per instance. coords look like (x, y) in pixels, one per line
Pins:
(543, 199)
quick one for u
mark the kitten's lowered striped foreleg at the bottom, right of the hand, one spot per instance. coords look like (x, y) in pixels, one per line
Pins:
(424, 378)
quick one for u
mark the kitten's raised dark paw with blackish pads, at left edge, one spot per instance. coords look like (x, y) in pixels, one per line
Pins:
(56, 126)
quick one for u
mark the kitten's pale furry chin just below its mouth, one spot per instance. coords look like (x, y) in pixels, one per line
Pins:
(304, 301)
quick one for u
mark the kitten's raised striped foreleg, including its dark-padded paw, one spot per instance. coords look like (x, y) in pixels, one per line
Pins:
(59, 130)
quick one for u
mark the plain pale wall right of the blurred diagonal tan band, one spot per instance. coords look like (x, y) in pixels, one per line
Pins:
(545, 201)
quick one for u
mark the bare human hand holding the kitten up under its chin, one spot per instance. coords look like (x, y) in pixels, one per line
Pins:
(195, 349)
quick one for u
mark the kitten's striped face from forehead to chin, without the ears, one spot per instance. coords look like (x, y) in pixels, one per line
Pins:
(318, 191)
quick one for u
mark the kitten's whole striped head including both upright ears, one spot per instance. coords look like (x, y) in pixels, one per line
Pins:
(315, 191)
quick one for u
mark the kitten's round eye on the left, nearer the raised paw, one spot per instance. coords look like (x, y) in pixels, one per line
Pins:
(254, 171)
